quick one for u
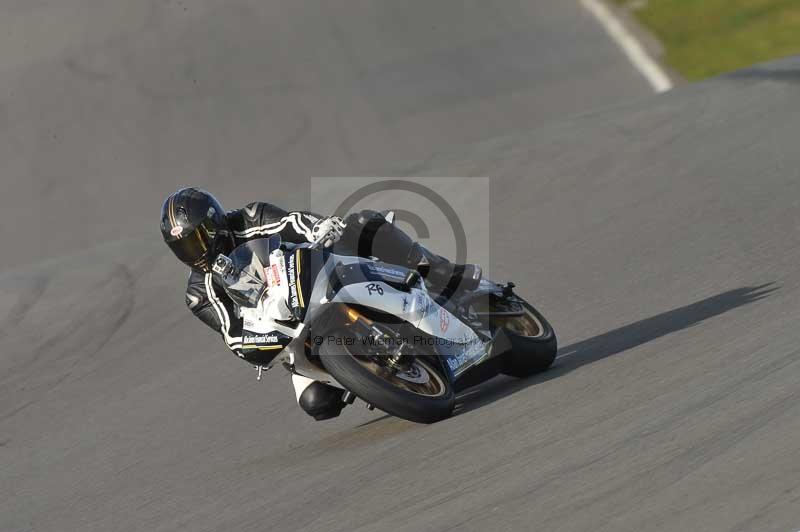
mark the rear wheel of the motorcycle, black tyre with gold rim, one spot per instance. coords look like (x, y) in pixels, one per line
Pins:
(533, 343)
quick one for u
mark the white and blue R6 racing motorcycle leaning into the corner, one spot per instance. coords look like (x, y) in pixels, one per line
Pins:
(375, 330)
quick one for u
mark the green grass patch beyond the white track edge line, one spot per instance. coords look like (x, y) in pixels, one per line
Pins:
(703, 38)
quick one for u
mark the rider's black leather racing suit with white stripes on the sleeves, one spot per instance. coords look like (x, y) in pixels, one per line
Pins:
(367, 233)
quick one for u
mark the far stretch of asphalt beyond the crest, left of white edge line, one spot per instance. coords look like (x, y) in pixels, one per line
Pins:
(104, 100)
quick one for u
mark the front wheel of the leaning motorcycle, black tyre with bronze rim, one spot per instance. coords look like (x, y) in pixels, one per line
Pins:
(422, 394)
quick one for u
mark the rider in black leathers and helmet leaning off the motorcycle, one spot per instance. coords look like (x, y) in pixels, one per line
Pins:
(197, 229)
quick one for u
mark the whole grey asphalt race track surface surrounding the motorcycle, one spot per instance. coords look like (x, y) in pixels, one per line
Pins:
(659, 235)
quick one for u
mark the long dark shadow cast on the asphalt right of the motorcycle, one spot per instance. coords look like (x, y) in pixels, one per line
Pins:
(619, 340)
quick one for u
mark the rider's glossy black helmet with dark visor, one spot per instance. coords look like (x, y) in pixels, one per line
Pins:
(194, 227)
